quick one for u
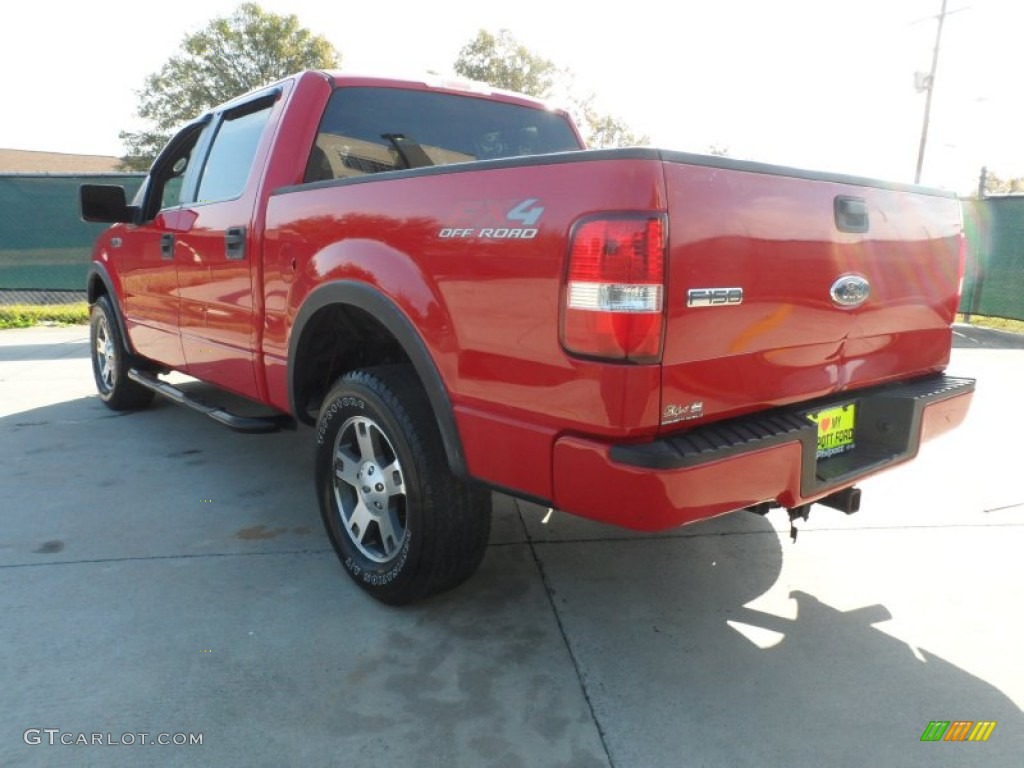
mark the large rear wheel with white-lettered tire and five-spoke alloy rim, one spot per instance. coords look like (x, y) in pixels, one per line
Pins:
(403, 526)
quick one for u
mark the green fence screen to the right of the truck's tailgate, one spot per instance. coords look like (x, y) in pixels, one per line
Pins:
(994, 285)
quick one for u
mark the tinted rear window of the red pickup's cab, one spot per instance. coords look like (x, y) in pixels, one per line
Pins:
(370, 131)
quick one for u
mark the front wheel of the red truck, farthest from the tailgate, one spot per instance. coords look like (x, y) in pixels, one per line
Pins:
(111, 362)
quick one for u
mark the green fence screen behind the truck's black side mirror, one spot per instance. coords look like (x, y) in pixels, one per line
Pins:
(45, 244)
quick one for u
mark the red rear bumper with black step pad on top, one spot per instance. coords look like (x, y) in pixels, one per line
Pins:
(770, 456)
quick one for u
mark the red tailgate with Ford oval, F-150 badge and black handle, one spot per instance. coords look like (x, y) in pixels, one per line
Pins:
(767, 280)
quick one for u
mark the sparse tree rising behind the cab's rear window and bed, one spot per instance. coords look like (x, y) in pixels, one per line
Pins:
(503, 62)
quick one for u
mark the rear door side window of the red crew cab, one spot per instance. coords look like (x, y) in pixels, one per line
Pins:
(231, 158)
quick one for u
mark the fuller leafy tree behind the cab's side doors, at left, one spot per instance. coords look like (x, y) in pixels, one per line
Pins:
(230, 57)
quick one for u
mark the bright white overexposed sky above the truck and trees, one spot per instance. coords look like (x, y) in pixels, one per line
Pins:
(819, 84)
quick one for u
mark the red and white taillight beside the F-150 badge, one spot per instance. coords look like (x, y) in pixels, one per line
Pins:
(615, 288)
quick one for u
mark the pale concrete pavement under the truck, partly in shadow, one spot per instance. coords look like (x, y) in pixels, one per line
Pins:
(160, 574)
